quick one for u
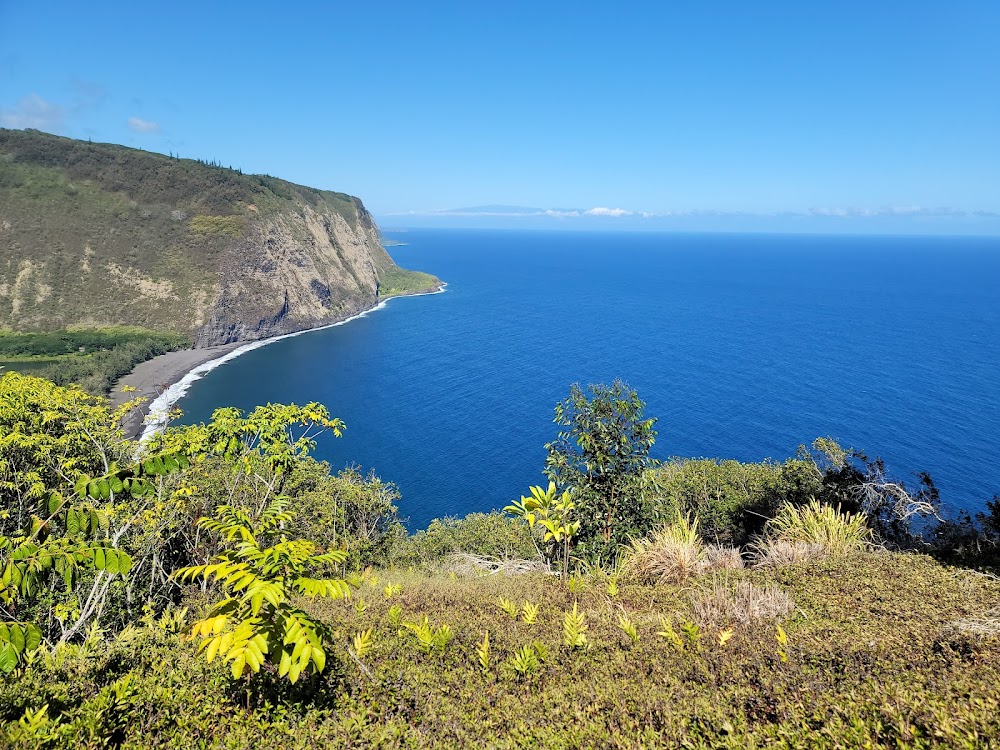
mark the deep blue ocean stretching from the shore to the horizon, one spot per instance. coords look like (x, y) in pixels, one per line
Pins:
(744, 346)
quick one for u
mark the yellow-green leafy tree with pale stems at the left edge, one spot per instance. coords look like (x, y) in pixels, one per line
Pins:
(70, 496)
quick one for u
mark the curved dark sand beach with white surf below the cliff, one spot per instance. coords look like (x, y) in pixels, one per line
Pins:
(165, 379)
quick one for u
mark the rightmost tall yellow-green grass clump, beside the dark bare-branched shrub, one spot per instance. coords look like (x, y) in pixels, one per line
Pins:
(797, 534)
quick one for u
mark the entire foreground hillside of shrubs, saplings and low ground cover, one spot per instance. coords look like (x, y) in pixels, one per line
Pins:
(218, 587)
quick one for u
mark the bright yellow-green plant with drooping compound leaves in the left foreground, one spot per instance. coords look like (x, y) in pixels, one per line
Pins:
(256, 623)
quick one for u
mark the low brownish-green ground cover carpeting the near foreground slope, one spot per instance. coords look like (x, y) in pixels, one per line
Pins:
(871, 661)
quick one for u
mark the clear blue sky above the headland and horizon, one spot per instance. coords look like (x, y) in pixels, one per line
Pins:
(886, 108)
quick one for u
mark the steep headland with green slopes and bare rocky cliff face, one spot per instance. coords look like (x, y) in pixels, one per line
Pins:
(95, 234)
